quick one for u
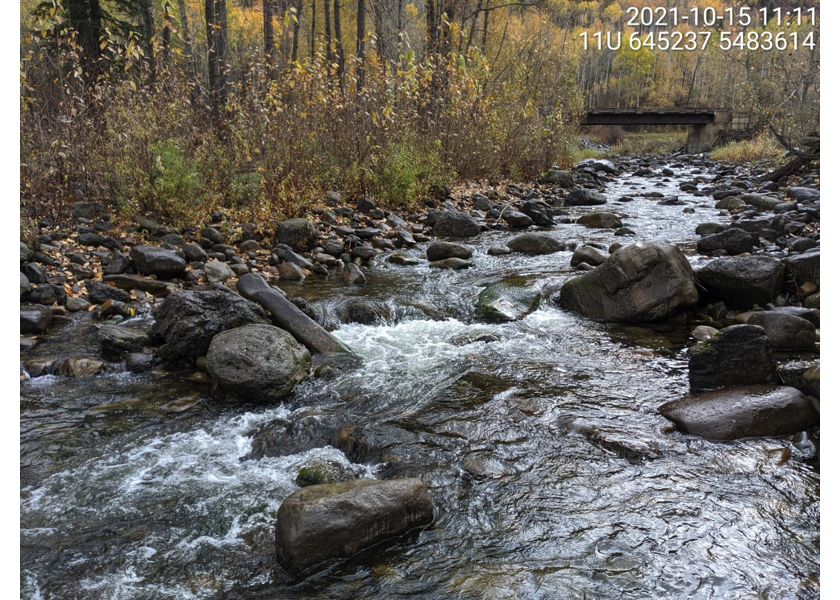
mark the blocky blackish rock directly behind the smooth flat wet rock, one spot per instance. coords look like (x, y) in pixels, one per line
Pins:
(737, 355)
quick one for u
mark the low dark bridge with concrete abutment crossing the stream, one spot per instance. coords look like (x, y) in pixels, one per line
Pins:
(704, 123)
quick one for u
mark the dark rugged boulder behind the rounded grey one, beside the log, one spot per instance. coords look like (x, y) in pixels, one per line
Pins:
(187, 321)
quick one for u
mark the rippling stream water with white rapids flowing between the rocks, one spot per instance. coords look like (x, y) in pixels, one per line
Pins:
(551, 472)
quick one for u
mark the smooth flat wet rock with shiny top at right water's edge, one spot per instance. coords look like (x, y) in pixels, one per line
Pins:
(742, 411)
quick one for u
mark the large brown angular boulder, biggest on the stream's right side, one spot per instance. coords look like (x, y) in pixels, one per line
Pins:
(639, 282)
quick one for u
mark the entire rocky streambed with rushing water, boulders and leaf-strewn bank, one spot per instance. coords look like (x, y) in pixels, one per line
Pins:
(605, 384)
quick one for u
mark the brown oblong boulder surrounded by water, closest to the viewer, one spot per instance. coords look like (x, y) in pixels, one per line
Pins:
(336, 521)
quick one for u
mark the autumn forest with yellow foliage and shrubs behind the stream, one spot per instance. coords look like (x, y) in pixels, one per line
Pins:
(387, 97)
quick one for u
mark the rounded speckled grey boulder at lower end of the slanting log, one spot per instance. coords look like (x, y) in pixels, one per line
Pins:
(262, 362)
